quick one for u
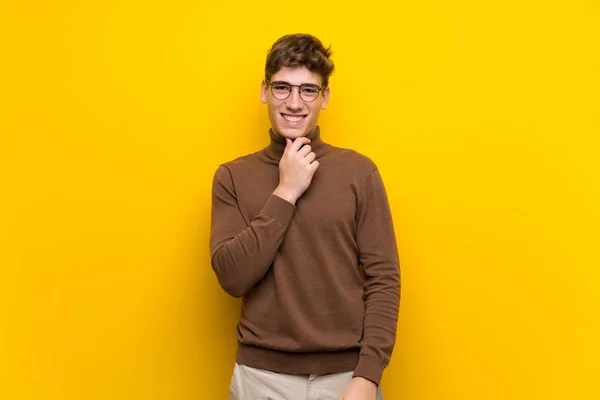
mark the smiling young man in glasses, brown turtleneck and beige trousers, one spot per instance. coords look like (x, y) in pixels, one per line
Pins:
(302, 231)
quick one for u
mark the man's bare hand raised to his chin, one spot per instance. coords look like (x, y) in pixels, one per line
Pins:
(296, 169)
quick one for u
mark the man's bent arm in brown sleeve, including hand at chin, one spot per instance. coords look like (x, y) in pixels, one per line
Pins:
(242, 253)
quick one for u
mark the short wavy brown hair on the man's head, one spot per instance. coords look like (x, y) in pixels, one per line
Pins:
(300, 50)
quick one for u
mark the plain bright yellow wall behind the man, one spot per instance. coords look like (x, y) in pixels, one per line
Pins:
(484, 120)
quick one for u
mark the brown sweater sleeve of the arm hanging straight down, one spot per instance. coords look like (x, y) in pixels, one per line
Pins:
(378, 254)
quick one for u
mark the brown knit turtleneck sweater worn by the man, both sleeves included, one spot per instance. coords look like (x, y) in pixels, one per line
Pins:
(307, 306)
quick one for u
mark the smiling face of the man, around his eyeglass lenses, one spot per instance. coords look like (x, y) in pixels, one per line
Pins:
(294, 117)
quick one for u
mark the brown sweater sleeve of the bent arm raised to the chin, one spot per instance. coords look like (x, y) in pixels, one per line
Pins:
(241, 252)
